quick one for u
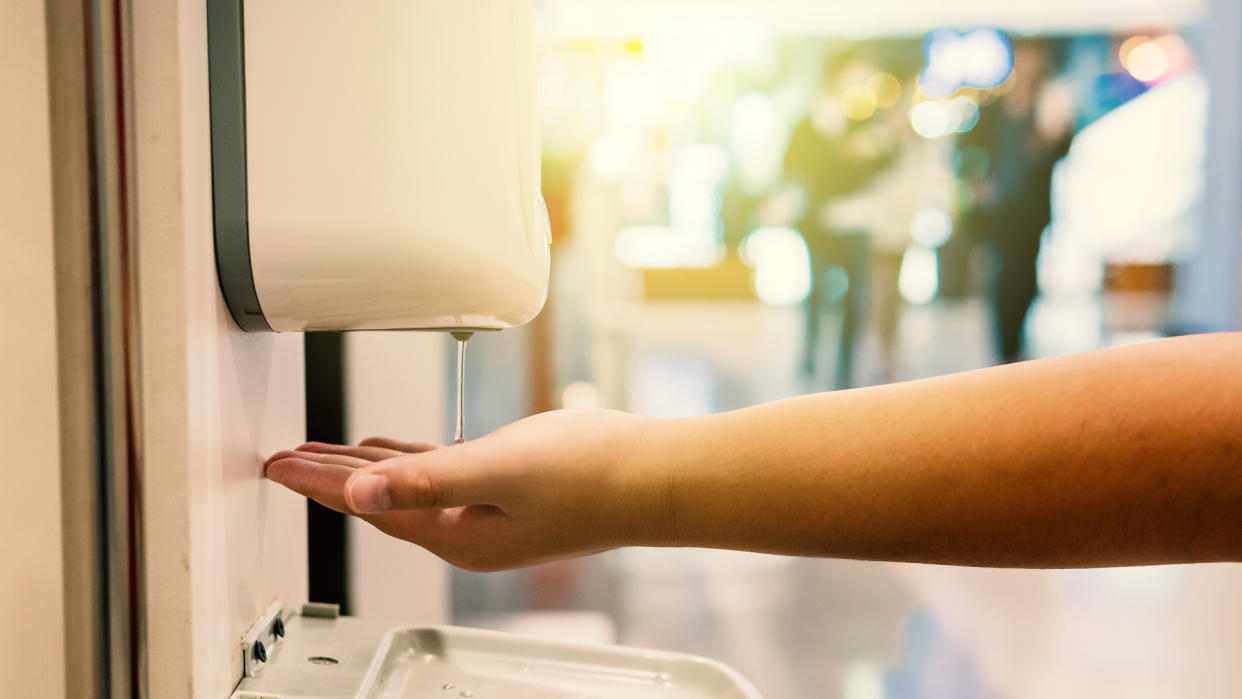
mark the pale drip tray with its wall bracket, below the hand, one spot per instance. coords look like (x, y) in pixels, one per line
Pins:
(357, 659)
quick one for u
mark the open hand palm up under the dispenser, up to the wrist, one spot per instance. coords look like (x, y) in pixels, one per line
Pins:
(552, 486)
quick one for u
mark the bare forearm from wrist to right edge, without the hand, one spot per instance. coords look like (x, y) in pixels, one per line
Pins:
(1127, 456)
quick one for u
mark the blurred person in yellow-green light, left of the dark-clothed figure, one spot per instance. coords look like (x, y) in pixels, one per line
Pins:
(830, 157)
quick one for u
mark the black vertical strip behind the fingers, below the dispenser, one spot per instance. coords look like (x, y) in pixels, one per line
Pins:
(329, 553)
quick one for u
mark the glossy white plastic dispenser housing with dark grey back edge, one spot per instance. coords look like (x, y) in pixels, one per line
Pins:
(377, 165)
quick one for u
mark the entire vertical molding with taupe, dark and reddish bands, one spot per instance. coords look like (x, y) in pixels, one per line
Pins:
(97, 327)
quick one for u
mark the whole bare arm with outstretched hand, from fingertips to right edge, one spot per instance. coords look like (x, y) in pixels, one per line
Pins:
(1117, 458)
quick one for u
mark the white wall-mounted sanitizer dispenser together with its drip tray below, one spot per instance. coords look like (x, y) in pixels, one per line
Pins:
(376, 166)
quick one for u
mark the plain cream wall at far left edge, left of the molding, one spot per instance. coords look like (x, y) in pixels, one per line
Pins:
(32, 620)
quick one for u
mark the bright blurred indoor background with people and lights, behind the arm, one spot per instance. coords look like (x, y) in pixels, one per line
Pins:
(753, 201)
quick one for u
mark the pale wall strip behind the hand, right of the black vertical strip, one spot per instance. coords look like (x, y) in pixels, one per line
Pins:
(397, 387)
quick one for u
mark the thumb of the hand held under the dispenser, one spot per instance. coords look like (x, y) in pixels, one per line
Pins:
(450, 477)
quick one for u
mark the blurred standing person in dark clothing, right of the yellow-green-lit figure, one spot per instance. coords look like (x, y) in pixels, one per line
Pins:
(1027, 132)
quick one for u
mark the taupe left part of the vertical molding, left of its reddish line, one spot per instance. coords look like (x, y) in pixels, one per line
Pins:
(88, 649)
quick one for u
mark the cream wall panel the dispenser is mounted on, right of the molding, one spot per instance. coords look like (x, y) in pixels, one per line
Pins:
(222, 543)
